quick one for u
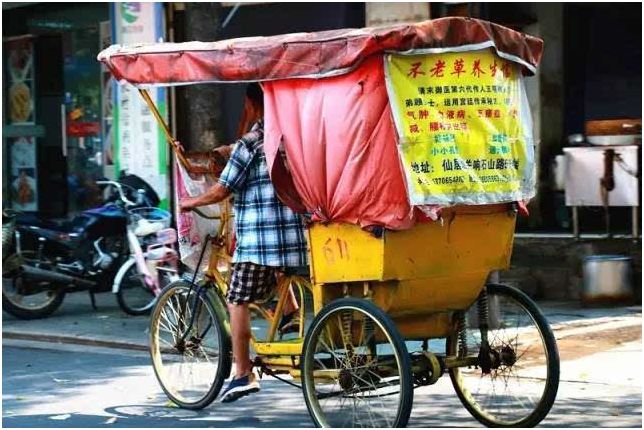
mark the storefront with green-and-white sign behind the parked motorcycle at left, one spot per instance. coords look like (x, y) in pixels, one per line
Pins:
(61, 131)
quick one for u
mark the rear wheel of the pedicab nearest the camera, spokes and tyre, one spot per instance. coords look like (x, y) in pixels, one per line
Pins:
(356, 370)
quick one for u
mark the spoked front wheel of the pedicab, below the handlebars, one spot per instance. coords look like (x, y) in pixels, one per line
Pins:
(190, 366)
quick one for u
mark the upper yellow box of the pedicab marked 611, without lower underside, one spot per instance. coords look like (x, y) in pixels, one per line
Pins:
(470, 239)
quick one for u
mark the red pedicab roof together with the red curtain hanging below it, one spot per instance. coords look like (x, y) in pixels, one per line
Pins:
(337, 133)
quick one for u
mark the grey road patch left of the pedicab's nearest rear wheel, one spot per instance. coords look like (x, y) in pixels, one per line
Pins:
(46, 388)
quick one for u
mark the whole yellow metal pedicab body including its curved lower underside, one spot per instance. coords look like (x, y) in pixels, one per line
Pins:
(418, 276)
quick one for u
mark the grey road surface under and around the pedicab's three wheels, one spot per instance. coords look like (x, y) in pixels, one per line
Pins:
(79, 386)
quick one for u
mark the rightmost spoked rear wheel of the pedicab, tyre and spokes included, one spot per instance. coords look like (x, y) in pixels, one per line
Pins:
(522, 354)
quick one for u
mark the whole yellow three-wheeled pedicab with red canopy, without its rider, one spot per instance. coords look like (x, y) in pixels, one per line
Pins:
(408, 149)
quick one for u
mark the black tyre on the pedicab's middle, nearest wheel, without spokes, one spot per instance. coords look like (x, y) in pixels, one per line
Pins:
(406, 384)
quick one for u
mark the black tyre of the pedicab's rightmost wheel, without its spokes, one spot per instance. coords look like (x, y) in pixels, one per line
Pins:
(552, 384)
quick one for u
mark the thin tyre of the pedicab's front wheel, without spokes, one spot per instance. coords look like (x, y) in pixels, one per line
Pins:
(223, 371)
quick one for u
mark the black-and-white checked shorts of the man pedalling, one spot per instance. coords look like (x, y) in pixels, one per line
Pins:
(250, 283)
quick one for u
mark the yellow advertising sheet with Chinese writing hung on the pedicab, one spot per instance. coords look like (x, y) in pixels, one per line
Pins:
(464, 127)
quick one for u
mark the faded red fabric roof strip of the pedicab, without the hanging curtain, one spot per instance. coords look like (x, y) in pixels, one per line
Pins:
(300, 55)
